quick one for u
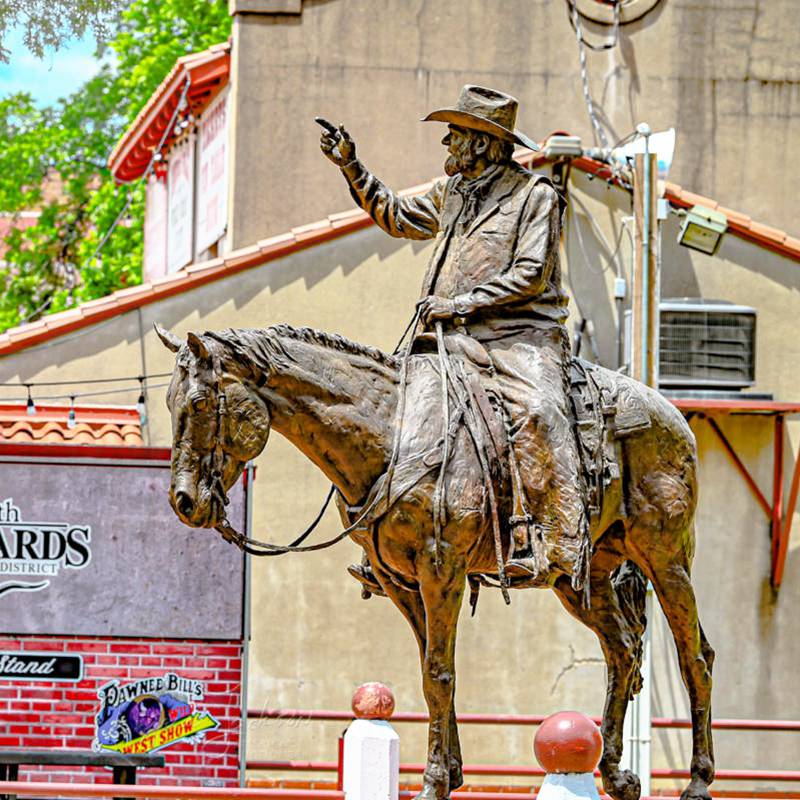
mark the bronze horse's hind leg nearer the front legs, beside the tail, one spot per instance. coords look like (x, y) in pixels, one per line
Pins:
(617, 618)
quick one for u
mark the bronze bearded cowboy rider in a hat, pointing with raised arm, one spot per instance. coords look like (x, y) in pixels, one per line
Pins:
(495, 277)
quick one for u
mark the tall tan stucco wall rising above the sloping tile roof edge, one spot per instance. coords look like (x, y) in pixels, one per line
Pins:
(724, 74)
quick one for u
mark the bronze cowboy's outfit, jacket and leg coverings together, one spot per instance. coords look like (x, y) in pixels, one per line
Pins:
(498, 261)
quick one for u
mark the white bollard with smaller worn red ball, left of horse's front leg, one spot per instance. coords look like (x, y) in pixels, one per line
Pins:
(371, 768)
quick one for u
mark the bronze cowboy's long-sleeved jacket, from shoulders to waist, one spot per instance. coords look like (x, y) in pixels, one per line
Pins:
(499, 263)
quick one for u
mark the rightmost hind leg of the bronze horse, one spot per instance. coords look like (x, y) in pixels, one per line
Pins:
(673, 587)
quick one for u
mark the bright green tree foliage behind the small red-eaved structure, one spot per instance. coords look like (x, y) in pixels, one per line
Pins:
(51, 265)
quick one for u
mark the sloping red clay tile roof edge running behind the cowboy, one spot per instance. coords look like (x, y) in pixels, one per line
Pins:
(332, 227)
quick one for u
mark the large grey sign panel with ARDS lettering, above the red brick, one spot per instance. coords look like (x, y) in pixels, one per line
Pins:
(94, 549)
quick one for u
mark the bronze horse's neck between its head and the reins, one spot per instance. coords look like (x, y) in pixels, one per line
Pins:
(337, 408)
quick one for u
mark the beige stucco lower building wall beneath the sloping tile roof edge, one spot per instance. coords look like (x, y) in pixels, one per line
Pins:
(314, 639)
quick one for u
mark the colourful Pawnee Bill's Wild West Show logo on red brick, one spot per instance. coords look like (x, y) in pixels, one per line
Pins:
(150, 714)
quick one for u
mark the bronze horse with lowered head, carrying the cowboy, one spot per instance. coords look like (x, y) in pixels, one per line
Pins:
(338, 402)
